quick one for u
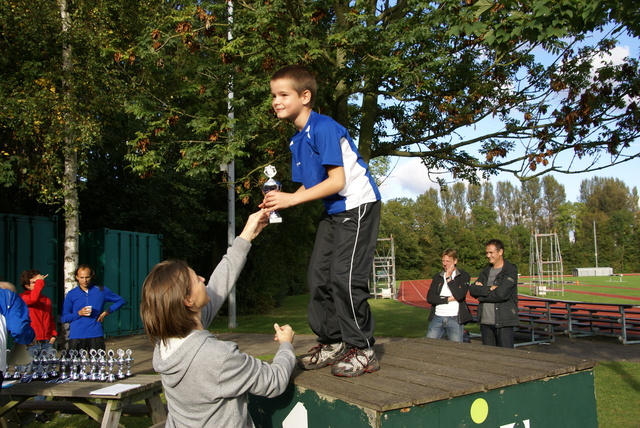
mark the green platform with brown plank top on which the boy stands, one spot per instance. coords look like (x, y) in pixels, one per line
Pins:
(437, 383)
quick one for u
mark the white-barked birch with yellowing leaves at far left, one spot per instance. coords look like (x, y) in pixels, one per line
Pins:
(51, 85)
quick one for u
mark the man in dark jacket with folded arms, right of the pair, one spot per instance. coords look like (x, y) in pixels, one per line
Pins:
(497, 291)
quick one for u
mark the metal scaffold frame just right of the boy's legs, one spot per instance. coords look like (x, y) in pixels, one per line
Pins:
(383, 275)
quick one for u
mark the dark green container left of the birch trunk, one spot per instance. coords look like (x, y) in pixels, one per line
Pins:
(28, 242)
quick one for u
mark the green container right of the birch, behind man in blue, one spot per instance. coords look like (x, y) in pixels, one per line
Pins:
(121, 261)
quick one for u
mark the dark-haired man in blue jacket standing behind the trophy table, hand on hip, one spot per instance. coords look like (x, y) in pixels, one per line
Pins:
(83, 309)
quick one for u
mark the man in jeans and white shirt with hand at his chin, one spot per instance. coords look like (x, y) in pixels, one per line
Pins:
(447, 294)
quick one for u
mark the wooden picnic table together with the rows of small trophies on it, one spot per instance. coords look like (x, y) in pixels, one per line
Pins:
(85, 378)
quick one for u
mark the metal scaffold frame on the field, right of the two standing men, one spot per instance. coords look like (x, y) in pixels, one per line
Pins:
(545, 264)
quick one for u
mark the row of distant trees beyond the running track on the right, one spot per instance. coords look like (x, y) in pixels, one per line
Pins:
(464, 217)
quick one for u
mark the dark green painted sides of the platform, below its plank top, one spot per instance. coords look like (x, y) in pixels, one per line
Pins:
(562, 401)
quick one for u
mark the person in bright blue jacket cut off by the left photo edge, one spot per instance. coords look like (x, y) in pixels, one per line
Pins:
(14, 317)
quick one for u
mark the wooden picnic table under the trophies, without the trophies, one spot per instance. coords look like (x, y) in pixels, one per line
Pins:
(148, 388)
